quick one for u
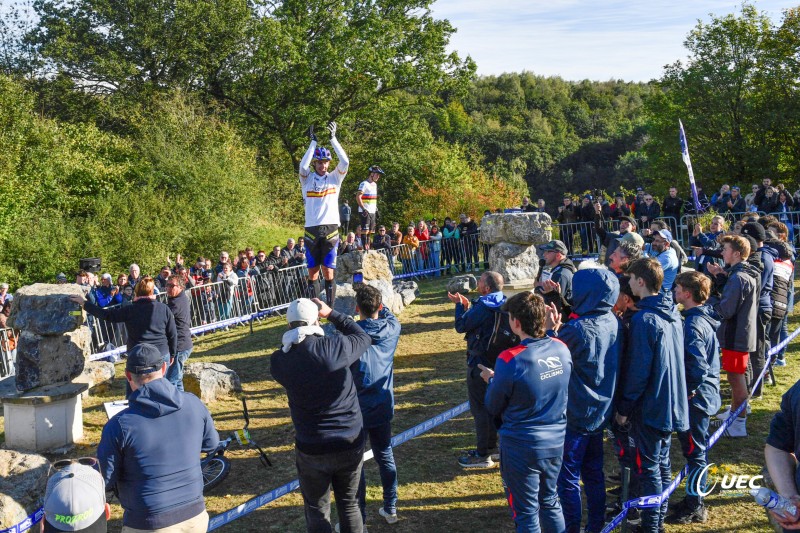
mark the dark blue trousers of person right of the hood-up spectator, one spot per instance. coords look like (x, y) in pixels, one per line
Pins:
(652, 453)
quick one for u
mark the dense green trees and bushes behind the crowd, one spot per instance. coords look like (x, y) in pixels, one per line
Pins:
(130, 129)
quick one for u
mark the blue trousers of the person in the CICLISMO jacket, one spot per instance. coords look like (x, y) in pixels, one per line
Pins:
(530, 486)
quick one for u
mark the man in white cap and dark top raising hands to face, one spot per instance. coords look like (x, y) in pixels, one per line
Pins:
(314, 368)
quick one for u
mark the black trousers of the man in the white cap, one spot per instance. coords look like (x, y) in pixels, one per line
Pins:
(317, 474)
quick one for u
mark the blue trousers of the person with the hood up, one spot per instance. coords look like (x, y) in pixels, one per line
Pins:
(583, 459)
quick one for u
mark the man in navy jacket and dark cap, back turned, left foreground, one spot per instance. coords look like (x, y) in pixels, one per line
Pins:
(149, 454)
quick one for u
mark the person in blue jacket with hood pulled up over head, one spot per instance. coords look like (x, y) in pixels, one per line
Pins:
(594, 340)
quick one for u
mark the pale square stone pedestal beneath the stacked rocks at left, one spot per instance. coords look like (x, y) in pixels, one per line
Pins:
(44, 418)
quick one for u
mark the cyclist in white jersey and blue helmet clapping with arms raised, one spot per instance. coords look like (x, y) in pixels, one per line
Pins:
(321, 197)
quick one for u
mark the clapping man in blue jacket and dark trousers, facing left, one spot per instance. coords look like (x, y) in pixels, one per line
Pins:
(476, 320)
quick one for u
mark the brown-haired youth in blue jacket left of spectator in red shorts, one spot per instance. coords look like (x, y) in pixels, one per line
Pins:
(701, 362)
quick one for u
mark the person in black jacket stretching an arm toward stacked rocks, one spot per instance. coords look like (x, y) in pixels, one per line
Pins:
(147, 320)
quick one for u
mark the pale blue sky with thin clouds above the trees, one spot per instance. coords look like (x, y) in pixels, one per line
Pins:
(580, 39)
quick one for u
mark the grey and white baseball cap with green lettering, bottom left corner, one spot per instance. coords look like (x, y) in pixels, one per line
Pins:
(75, 500)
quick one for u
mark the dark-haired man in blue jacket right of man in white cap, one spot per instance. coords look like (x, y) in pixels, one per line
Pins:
(374, 379)
